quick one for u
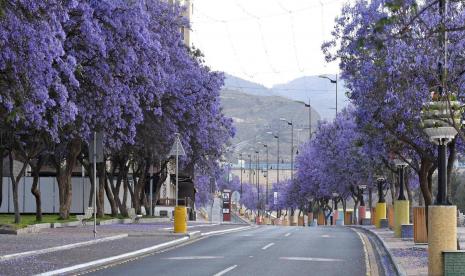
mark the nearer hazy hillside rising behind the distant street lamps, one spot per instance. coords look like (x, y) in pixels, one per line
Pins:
(255, 115)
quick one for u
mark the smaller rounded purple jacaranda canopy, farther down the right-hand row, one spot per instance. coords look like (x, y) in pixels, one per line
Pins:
(335, 162)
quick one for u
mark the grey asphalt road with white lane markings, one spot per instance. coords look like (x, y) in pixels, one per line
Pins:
(266, 250)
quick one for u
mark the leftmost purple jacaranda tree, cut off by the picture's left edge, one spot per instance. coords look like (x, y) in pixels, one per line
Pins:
(35, 77)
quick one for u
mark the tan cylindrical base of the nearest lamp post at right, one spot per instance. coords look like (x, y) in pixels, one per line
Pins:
(442, 236)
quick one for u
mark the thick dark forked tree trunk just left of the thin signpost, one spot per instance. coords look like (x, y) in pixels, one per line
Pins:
(64, 174)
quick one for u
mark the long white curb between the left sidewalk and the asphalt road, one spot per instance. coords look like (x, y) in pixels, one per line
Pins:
(188, 237)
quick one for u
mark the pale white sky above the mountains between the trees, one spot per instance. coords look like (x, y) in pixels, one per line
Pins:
(265, 41)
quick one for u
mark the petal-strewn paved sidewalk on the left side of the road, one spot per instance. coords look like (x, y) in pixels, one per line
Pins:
(132, 237)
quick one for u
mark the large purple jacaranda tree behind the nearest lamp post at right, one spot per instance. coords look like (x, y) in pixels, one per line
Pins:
(389, 54)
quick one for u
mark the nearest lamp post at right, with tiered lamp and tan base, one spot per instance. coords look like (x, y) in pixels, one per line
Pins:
(441, 119)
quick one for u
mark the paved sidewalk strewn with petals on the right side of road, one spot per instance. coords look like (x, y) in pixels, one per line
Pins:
(410, 257)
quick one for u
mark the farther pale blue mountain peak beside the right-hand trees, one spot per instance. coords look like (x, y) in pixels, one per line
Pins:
(321, 93)
